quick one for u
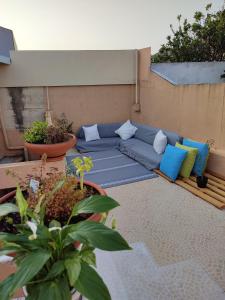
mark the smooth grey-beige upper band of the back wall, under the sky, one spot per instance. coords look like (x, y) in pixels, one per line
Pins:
(69, 68)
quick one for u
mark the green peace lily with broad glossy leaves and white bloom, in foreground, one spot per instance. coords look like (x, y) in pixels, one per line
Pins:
(49, 265)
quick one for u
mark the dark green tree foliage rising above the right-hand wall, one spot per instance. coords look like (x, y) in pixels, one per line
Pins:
(202, 40)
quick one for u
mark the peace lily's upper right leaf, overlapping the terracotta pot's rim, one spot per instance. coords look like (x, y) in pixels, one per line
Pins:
(94, 204)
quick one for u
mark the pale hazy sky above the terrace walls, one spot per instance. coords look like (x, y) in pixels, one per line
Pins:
(94, 24)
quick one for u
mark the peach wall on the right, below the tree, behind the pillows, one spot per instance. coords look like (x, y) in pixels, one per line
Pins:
(193, 111)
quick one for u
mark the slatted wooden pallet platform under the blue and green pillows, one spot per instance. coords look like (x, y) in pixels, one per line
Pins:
(213, 194)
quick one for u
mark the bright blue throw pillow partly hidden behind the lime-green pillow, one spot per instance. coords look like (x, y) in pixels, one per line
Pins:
(202, 156)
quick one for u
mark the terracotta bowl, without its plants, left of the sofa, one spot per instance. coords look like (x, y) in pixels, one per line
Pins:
(54, 151)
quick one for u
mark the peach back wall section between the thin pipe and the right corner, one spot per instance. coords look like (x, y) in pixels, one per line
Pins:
(92, 104)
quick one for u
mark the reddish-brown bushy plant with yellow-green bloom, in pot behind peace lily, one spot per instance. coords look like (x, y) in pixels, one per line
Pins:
(58, 191)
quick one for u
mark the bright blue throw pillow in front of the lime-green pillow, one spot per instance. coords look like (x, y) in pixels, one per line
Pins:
(172, 160)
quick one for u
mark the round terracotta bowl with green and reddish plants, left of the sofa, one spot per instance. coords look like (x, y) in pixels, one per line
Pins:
(54, 140)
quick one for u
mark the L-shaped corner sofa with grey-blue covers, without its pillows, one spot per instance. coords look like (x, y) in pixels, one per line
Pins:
(139, 147)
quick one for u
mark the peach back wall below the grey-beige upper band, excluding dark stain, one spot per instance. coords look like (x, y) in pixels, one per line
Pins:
(81, 104)
